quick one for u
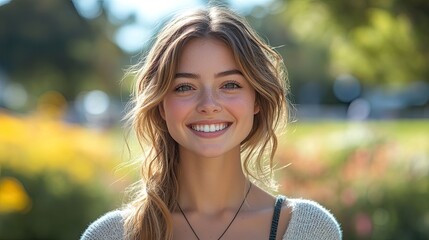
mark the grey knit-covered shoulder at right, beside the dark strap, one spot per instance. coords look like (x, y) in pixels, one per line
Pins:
(310, 220)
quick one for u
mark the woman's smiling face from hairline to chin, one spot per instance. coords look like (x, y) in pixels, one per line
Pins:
(210, 106)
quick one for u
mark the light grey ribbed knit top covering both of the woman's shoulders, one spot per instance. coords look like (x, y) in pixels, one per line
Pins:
(309, 221)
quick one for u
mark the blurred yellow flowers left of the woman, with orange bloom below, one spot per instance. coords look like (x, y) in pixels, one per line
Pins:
(37, 144)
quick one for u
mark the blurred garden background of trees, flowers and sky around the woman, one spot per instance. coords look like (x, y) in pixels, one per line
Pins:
(358, 142)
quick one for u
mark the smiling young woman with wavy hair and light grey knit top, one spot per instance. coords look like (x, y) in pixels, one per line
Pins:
(208, 100)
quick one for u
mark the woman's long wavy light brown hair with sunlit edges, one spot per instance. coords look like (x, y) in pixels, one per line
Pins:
(154, 200)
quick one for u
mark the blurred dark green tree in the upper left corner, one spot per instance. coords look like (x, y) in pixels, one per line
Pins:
(46, 45)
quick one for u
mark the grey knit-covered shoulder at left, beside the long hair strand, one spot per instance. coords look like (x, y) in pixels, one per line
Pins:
(108, 226)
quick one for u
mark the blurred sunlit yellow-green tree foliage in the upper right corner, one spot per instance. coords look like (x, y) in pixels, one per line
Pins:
(380, 42)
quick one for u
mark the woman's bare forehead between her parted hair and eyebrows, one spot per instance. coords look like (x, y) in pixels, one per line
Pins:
(205, 54)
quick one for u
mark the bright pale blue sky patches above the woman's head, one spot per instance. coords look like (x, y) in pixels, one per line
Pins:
(148, 15)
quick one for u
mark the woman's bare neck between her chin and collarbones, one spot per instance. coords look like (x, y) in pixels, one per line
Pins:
(211, 185)
